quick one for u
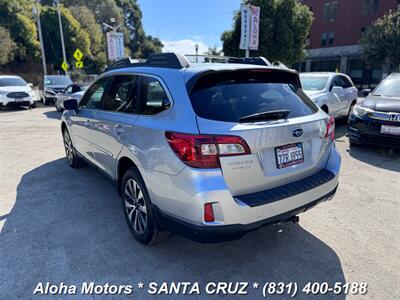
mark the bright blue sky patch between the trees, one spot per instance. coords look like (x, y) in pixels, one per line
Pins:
(180, 24)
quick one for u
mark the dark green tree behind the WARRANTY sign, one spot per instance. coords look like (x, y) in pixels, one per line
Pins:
(284, 27)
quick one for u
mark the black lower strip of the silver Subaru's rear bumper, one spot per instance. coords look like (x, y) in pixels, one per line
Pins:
(213, 234)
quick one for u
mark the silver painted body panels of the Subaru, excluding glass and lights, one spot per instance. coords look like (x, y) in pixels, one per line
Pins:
(181, 191)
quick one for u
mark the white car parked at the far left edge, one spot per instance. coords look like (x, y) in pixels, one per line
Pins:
(15, 92)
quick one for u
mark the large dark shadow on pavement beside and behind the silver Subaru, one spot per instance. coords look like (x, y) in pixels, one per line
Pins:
(67, 226)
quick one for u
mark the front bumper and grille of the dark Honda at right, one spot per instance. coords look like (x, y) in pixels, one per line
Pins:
(364, 130)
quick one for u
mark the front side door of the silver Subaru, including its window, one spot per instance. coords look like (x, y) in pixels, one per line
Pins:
(83, 120)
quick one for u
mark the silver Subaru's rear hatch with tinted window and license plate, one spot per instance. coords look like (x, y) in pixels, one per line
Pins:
(285, 132)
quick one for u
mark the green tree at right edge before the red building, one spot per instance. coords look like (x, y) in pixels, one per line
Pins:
(381, 42)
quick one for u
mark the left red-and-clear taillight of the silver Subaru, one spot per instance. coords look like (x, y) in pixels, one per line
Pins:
(204, 151)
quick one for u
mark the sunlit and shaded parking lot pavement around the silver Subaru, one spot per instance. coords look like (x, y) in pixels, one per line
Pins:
(63, 225)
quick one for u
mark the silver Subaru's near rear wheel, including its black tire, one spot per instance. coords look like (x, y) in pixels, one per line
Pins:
(139, 215)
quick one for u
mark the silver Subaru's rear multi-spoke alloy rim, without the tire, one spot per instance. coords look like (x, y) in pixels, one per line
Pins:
(135, 206)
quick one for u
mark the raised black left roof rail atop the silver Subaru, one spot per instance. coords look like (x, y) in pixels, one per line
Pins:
(161, 60)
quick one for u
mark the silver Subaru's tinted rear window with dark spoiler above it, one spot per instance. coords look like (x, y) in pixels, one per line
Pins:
(229, 96)
